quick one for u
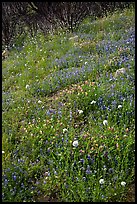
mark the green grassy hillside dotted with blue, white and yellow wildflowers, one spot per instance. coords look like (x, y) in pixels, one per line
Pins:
(58, 90)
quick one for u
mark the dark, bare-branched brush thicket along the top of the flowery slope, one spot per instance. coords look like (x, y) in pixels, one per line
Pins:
(48, 16)
